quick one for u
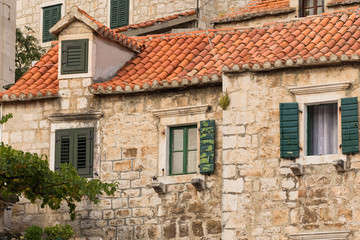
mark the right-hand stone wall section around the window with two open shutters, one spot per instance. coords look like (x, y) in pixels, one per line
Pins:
(262, 199)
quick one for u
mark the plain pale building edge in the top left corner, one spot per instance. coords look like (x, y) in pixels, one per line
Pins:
(7, 42)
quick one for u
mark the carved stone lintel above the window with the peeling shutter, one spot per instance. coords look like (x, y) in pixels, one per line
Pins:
(181, 111)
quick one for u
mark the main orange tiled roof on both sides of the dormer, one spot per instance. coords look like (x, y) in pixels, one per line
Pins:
(176, 60)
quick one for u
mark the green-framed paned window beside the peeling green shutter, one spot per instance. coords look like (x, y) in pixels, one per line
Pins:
(183, 150)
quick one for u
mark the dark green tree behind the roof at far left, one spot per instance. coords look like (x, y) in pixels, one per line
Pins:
(28, 49)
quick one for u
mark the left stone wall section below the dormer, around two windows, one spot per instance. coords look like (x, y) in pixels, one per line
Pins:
(127, 151)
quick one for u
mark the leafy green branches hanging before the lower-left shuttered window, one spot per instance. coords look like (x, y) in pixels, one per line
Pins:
(29, 175)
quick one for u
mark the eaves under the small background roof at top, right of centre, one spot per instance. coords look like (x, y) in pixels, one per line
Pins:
(248, 16)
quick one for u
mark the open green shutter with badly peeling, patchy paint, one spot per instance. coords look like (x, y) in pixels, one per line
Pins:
(207, 146)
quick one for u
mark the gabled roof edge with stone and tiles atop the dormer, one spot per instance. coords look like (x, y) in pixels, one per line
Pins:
(78, 14)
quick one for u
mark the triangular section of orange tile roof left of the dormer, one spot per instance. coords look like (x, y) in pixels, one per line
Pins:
(41, 81)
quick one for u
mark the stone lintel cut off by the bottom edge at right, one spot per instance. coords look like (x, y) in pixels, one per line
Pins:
(321, 235)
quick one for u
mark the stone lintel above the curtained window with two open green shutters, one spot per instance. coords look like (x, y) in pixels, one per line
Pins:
(320, 88)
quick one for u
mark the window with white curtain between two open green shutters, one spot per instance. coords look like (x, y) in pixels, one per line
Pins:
(322, 129)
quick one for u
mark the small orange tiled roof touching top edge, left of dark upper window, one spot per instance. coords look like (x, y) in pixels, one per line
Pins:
(256, 8)
